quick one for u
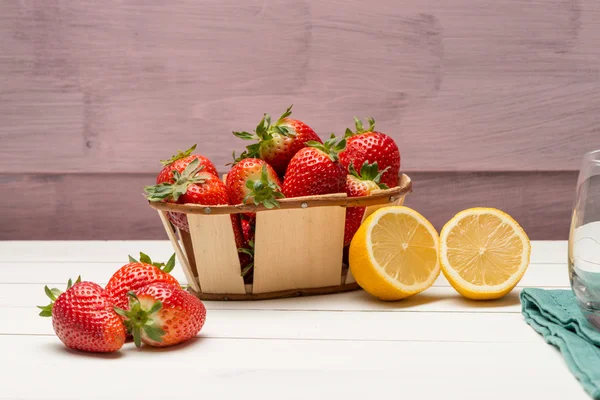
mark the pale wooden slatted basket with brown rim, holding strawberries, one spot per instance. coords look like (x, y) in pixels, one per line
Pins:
(298, 247)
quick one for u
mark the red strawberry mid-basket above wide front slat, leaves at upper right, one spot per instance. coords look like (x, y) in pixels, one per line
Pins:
(315, 170)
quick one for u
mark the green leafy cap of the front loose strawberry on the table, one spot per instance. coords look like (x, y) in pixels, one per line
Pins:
(139, 319)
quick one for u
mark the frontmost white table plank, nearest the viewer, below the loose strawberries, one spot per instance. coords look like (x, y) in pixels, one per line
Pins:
(272, 367)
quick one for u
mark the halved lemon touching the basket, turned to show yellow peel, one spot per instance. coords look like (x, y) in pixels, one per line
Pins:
(394, 253)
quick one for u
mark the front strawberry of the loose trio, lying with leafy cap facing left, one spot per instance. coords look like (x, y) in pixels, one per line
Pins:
(162, 315)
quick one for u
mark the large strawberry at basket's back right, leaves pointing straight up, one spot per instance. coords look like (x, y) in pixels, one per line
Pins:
(367, 145)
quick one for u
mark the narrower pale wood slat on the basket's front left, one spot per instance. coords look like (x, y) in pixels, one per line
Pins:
(216, 254)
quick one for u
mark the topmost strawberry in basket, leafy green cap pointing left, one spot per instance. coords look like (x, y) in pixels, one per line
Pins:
(278, 143)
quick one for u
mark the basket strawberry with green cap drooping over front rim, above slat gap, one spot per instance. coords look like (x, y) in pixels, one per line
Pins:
(253, 180)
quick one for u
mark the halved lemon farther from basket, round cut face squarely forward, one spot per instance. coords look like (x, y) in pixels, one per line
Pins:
(484, 253)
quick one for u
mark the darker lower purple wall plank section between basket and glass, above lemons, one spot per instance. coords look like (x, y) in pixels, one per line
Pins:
(540, 202)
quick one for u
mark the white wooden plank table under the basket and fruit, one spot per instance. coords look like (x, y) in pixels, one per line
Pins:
(348, 346)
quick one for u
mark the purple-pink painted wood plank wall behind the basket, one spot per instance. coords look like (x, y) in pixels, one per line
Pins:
(491, 102)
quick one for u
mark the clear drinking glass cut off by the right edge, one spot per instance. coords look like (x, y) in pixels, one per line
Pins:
(584, 239)
